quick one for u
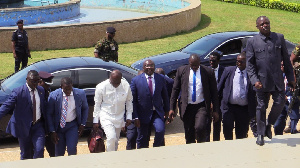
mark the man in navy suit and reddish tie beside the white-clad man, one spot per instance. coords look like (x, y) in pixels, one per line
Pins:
(150, 105)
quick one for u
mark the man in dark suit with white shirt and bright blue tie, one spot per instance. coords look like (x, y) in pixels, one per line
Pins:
(198, 88)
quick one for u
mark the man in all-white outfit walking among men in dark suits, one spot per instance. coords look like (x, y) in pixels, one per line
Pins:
(112, 96)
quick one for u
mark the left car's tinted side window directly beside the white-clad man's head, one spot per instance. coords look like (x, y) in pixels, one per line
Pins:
(89, 78)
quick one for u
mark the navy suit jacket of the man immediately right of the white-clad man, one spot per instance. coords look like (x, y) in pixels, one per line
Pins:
(143, 102)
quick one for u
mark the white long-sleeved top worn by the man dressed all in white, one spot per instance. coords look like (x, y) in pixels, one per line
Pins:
(110, 103)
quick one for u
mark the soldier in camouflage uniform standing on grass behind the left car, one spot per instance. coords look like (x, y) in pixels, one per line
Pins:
(107, 48)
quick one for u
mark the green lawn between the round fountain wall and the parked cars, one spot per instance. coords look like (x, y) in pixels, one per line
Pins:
(216, 17)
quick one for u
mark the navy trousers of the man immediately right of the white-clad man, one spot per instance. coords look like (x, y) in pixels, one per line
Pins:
(143, 132)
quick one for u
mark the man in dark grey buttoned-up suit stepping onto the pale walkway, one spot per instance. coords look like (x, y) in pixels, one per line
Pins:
(265, 52)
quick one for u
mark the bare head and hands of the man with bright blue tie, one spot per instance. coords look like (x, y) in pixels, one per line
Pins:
(194, 62)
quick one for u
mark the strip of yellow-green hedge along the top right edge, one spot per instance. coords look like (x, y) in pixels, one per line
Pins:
(271, 4)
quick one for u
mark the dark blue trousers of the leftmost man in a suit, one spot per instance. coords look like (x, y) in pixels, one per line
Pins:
(33, 143)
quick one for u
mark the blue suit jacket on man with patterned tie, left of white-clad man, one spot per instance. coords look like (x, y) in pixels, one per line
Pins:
(55, 108)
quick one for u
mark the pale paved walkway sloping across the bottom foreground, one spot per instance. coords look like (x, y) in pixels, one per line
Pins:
(281, 151)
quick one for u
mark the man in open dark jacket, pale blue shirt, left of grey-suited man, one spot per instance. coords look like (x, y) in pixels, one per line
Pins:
(237, 99)
